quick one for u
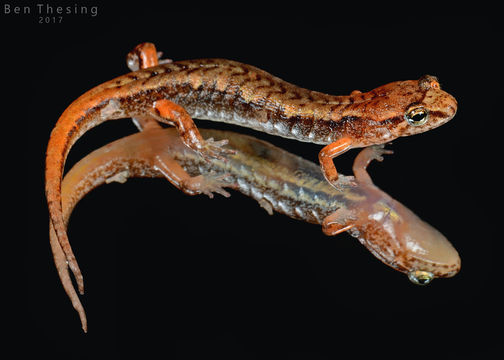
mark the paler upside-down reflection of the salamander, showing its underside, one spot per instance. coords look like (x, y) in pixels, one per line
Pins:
(279, 181)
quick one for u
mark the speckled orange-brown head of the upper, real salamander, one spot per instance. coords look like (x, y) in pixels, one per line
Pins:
(410, 107)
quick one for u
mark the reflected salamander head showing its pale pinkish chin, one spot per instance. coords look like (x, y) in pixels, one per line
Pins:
(400, 239)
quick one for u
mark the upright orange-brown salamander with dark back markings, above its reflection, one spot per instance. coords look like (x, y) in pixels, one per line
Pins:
(232, 92)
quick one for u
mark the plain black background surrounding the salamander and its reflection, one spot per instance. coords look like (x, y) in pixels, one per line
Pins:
(192, 277)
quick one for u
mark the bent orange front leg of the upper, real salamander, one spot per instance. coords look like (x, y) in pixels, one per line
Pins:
(326, 156)
